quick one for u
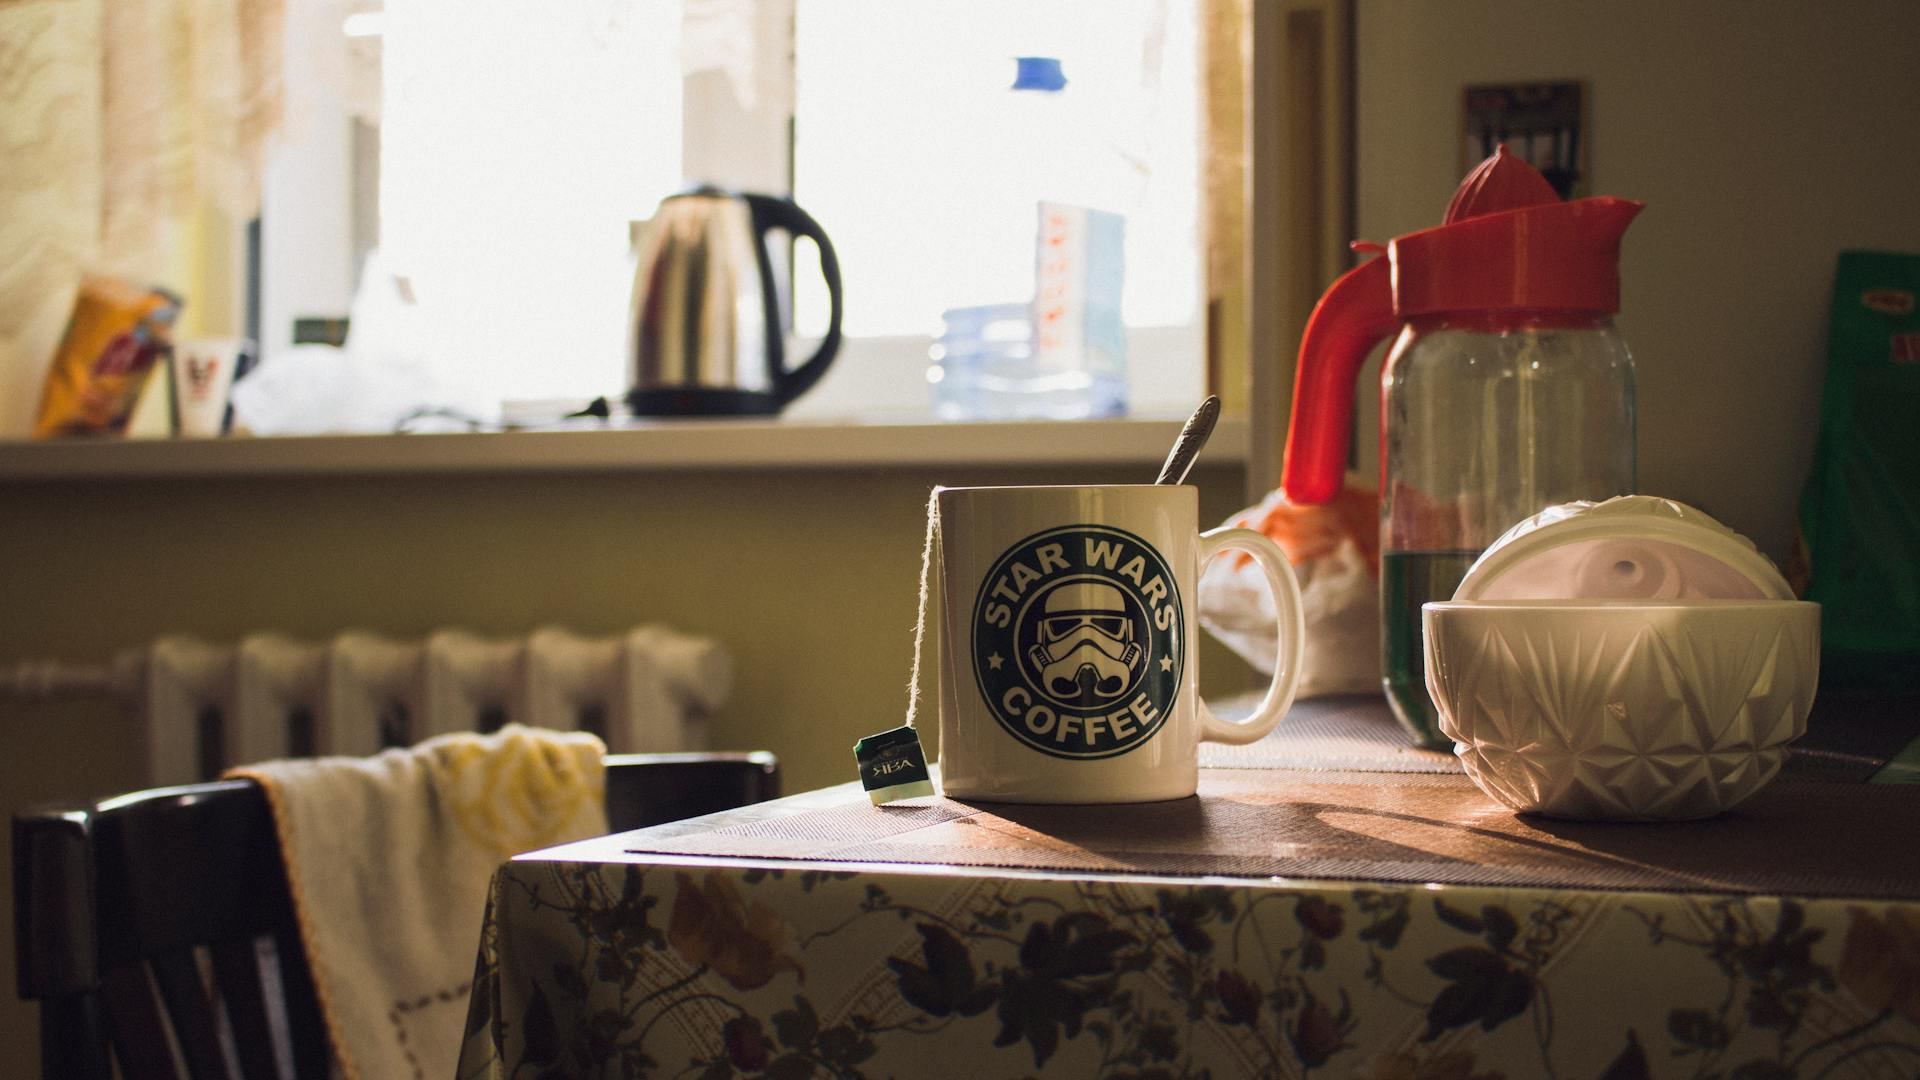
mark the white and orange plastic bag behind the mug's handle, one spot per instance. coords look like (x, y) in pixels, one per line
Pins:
(1335, 552)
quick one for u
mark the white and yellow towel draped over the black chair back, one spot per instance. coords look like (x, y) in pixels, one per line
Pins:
(391, 860)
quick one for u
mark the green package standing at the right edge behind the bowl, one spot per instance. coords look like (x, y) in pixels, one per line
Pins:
(1861, 508)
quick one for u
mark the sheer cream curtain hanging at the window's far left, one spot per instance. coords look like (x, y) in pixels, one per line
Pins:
(133, 135)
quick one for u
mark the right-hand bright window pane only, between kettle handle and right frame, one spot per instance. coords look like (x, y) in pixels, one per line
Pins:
(926, 170)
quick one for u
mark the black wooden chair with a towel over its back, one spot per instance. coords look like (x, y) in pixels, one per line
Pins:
(112, 900)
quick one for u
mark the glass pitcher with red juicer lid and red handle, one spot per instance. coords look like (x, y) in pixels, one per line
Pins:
(1506, 391)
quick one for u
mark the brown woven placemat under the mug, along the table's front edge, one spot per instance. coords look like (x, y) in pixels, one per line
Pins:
(1794, 839)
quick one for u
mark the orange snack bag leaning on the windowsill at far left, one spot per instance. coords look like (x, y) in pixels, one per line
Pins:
(114, 339)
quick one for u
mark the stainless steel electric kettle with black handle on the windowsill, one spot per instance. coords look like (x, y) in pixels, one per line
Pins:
(708, 308)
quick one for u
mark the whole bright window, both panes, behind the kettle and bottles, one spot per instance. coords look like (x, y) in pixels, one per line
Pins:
(519, 139)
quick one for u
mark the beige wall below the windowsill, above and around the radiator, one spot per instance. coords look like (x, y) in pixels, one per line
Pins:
(809, 579)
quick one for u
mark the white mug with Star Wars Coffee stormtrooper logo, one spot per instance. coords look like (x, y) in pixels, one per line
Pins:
(1068, 664)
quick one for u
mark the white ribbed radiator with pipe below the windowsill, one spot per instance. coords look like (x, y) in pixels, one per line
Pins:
(208, 706)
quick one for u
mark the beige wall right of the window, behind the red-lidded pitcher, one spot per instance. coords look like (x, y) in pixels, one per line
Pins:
(1765, 137)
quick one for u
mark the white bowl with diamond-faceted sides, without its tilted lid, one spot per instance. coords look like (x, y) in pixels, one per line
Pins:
(1625, 710)
